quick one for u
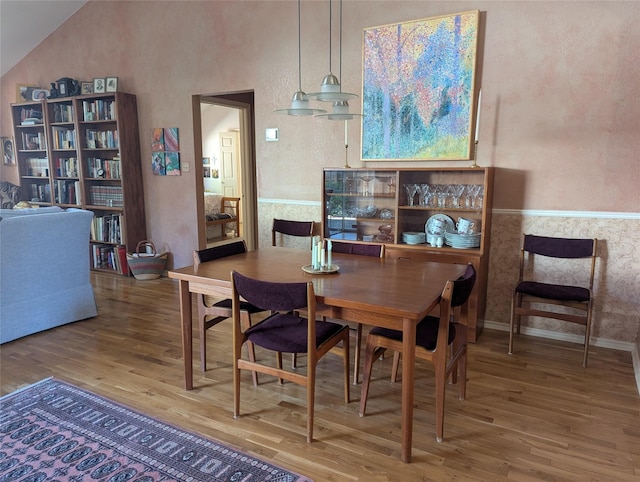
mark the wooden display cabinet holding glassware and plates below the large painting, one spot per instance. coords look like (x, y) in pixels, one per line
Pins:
(373, 205)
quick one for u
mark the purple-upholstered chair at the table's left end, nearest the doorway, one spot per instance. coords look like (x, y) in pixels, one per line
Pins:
(211, 312)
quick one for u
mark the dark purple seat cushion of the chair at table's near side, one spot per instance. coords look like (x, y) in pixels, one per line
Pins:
(287, 333)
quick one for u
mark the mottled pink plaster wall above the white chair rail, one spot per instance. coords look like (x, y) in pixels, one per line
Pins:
(560, 110)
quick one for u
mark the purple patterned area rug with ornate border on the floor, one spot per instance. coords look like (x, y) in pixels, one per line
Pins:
(54, 431)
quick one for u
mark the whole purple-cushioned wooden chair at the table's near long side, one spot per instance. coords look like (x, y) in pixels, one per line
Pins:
(284, 331)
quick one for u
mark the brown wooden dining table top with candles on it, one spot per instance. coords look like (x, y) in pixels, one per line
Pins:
(394, 287)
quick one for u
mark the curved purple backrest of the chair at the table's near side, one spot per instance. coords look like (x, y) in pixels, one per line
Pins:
(271, 296)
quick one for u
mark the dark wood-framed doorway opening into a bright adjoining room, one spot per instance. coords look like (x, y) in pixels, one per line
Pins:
(218, 157)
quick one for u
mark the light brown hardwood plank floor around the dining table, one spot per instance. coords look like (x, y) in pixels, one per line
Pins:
(536, 415)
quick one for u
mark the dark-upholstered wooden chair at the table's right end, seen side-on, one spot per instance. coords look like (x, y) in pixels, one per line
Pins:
(435, 339)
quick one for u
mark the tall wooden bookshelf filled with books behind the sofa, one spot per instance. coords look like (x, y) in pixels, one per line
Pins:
(84, 152)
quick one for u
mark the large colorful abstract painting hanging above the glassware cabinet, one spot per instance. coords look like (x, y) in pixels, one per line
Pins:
(418, 89)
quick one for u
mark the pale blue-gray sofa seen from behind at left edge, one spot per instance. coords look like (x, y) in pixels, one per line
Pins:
(44, 270)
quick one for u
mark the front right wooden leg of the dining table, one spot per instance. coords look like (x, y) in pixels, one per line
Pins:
(408, 375)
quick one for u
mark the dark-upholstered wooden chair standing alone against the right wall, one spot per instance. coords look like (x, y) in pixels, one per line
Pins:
(553, 299)
